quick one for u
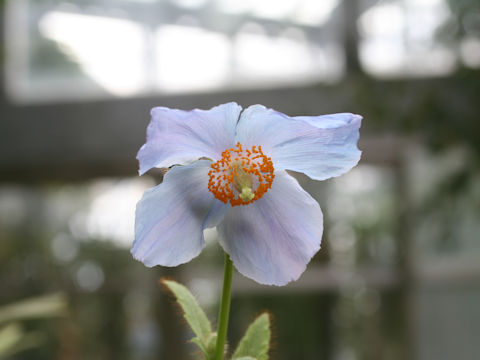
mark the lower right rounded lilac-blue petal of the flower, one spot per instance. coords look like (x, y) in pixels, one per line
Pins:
(273, 239)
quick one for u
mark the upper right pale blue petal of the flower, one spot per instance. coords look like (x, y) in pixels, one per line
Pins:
(319, 146)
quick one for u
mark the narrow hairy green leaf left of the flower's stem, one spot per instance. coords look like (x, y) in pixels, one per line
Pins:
(193, 313)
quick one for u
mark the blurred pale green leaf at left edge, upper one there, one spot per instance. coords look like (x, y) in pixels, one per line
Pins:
(38, 307)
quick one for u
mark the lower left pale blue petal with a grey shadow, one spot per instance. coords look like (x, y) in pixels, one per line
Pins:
(170, 217)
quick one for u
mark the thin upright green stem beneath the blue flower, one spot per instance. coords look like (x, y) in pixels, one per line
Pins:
(224, 309)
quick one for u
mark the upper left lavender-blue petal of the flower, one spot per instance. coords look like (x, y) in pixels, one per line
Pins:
(177, 136)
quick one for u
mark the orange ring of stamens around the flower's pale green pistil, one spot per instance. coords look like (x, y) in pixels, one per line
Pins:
(241, 176)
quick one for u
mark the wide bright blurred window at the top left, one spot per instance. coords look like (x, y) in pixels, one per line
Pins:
(87, 49)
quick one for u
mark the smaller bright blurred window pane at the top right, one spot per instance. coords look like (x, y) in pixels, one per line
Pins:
(399, 38)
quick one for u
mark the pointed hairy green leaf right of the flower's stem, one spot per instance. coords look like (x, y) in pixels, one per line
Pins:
(256, 341)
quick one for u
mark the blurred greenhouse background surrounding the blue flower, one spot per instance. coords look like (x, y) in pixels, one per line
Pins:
(398, 276)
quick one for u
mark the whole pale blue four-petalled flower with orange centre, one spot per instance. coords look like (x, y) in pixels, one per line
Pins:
(230, 172)
